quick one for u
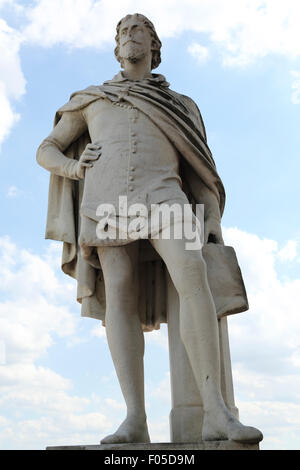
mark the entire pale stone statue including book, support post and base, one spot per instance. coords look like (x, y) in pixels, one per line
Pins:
(135, 138)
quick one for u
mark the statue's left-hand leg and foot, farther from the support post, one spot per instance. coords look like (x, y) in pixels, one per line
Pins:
(125, 337)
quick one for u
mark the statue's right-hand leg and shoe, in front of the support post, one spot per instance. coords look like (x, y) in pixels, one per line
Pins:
(199, 333)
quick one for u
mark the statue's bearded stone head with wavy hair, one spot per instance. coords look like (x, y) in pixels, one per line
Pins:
(135, 33)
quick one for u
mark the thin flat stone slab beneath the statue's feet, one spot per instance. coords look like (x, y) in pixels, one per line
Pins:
(165, 446)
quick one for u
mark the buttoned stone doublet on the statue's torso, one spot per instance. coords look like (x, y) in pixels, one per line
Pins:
(137, 161)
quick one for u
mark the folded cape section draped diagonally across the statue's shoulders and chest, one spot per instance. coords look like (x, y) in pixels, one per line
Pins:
(181, 121)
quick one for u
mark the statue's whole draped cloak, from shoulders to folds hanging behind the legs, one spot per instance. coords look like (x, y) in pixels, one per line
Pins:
(179, 118)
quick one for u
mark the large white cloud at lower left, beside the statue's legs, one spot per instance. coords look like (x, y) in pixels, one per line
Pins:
(39, 404)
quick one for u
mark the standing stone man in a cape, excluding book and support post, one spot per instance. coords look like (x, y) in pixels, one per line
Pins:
(135, 137)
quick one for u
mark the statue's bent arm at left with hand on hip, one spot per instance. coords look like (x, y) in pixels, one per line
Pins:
(50, 153)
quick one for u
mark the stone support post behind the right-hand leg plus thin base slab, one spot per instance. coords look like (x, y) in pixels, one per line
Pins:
(187, 412)
